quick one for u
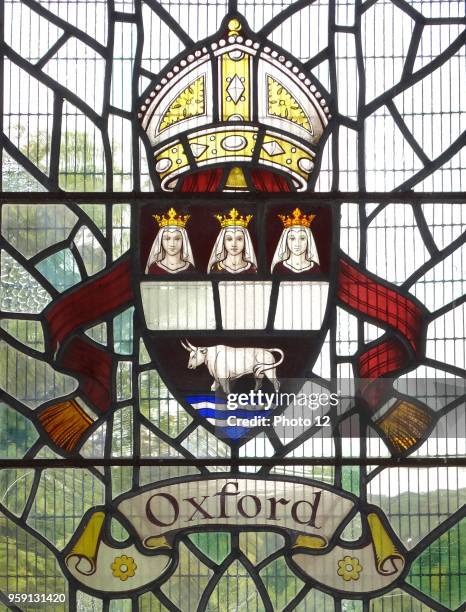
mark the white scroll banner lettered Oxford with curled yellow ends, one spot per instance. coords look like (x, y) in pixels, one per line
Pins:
(311, 513)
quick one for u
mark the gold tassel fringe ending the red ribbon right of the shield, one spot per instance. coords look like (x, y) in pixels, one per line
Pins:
(405, 425)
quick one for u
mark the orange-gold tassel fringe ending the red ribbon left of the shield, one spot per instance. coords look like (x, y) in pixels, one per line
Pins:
(65, 423)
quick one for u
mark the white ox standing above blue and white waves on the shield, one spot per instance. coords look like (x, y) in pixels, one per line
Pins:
(227, 363)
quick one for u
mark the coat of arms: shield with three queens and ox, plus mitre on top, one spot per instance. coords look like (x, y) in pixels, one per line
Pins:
(233, 289)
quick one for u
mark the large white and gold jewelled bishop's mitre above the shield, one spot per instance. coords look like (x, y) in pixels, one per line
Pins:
(234, 100)
